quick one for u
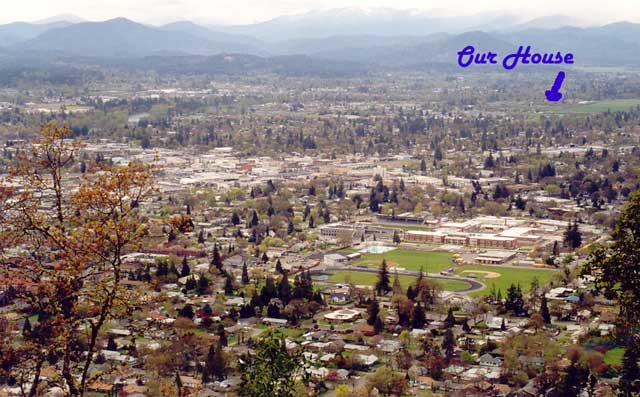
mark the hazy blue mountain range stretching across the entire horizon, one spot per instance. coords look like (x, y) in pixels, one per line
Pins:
(380, 37)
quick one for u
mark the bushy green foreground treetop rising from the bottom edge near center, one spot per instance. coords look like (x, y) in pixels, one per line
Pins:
(271, 370)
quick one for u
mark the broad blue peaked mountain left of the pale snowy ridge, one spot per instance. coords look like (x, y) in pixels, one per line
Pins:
(121, 37)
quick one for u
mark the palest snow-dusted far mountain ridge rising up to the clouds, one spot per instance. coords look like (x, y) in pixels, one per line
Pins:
(367, 21)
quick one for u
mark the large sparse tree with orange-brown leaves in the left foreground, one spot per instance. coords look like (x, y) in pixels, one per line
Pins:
(75, 239)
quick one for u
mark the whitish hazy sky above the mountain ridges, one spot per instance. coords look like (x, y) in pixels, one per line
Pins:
(247, 11)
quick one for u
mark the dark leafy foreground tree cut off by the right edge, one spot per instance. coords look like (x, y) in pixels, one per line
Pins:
(616, 267)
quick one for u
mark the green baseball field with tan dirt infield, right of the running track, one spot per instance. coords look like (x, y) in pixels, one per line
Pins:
(507, 277)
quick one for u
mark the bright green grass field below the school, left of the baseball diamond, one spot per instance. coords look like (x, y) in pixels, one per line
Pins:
(429, 261)
